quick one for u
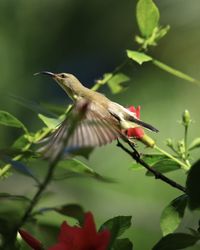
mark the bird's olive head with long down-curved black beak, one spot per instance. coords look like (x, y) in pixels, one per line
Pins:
(67, 81)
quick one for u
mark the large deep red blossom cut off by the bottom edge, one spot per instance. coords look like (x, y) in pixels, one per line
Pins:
(85, 238)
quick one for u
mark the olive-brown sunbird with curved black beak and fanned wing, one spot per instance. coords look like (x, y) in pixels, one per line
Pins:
(103, 121)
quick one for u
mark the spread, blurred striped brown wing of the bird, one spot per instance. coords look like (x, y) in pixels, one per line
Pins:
(97, 127)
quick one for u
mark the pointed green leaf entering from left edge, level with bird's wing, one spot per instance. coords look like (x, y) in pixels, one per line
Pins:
(7, 119)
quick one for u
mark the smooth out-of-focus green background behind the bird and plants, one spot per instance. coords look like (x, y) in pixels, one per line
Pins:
(88, 38)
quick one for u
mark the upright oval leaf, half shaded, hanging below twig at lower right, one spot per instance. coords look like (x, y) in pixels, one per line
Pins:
(173, 214)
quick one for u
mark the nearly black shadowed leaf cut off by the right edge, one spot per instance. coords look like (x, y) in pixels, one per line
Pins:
(193, 186)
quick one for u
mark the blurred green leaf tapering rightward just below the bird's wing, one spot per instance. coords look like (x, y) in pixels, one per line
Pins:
(75, 168)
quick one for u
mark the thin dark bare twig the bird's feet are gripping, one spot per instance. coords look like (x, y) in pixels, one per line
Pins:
(136, 156)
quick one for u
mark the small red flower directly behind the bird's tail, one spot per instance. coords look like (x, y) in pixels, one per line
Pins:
(136, 132)
